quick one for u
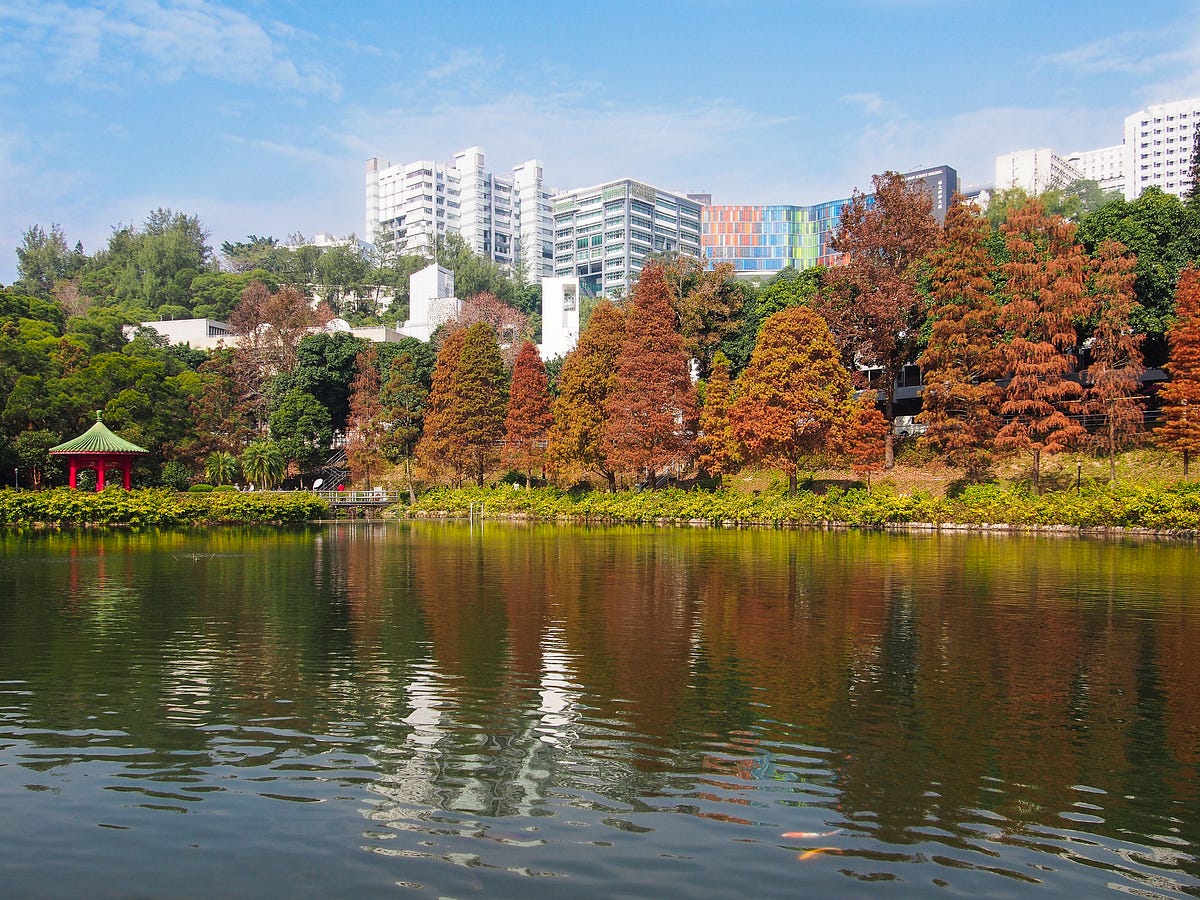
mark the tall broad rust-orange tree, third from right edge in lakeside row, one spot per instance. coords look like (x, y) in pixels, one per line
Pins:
(1045, 281)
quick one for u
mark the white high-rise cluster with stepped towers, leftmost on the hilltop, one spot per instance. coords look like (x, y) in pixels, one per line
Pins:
(421, 201)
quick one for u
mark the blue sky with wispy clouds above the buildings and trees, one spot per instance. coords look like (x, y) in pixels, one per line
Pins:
(259, 117)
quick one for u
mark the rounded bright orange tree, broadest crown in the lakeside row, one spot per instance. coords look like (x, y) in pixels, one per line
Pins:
(794, 394)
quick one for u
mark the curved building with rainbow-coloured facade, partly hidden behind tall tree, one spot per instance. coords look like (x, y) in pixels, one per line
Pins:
(764, 241)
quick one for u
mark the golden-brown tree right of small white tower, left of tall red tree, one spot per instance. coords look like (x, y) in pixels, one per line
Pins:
(589, 376)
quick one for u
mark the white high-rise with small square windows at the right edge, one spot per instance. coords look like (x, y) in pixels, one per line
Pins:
(1159, 146)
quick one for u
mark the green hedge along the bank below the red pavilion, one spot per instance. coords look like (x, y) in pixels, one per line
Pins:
(157, 508)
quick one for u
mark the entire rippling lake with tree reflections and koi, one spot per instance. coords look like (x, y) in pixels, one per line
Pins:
(369, 709)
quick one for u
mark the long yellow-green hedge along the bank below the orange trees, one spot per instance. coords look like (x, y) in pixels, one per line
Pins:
(1175, 508)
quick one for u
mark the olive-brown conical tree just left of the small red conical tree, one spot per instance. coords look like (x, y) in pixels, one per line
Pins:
(481, 400)
